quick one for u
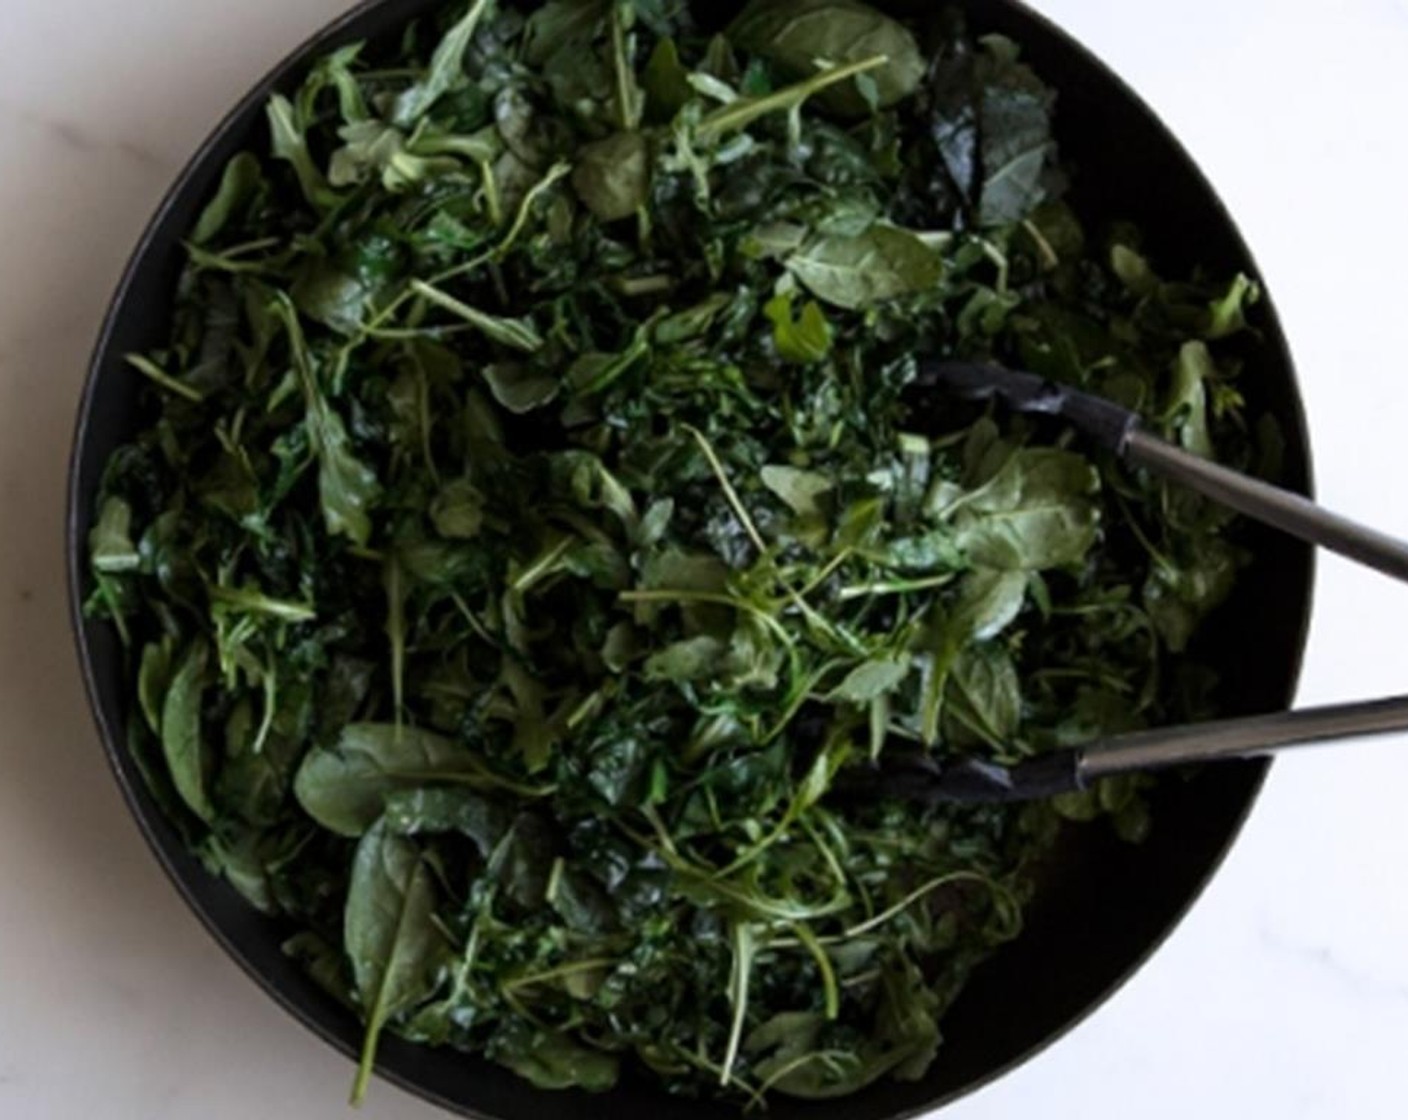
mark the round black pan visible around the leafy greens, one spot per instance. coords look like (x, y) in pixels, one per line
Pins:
(1105, 908)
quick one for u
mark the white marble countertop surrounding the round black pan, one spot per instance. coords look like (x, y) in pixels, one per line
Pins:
(1286, 993)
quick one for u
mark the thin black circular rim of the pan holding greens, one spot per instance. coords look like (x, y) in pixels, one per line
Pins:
(113, 740)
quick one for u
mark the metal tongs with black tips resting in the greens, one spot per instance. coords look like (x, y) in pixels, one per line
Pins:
(1121, 432)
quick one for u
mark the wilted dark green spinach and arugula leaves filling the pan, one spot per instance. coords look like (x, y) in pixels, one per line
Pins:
(534, 522)
